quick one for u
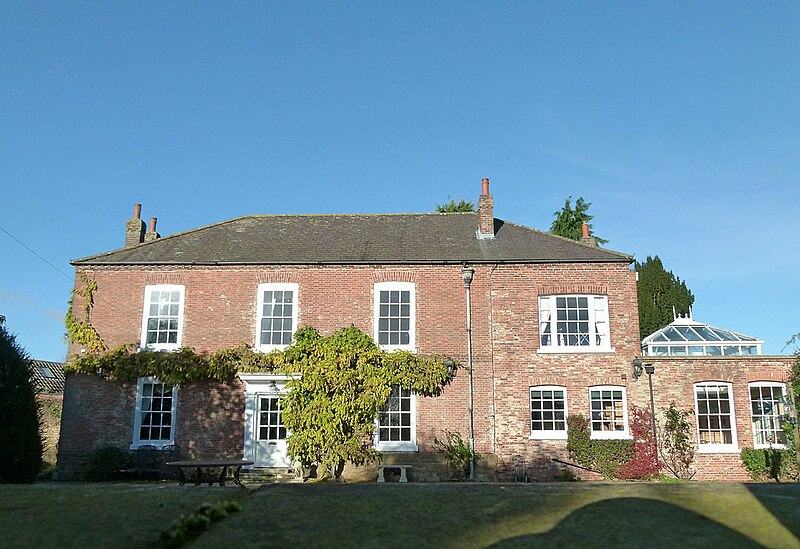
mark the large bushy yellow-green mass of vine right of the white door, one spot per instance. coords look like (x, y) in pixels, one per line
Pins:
(331, 409)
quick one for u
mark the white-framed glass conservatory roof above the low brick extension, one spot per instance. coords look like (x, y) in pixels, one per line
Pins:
(687, 337)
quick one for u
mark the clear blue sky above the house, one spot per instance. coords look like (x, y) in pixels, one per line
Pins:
(677, 121)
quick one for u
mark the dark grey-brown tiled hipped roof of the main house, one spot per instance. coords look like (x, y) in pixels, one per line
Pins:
(355, 239)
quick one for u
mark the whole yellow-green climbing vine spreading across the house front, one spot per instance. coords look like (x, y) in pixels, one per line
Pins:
(333, 403)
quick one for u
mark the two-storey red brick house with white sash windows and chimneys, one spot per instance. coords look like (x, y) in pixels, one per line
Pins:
(554, 327)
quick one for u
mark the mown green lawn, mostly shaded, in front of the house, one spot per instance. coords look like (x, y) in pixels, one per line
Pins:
(416, 515)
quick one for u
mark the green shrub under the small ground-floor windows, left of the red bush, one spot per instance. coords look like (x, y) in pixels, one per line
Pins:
(606, 457)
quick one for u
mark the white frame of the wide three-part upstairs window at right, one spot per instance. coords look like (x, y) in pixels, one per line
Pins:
(598, 324)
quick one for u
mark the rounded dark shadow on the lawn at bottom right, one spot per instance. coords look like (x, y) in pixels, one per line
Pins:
(629, 522)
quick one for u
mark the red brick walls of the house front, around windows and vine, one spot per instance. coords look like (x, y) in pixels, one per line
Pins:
(220, 311)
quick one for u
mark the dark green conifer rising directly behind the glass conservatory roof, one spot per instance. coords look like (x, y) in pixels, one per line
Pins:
(659, 291)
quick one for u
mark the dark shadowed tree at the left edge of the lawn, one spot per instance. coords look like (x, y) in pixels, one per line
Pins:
(20, 440)
